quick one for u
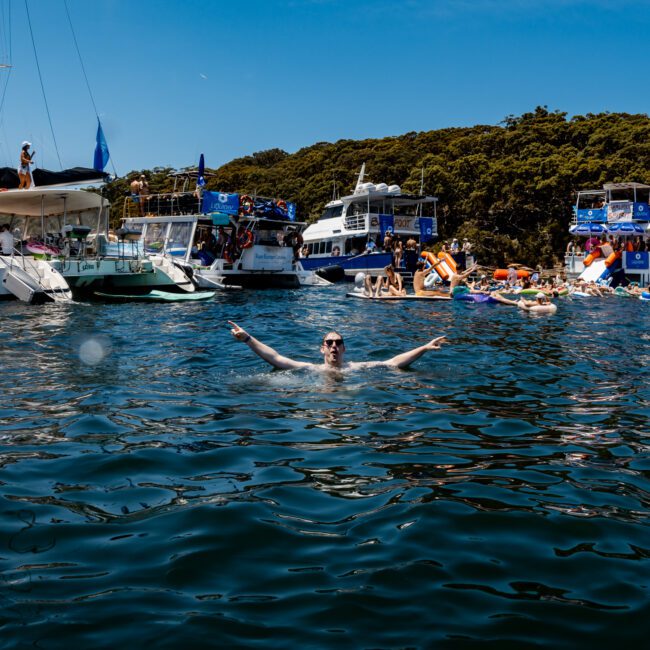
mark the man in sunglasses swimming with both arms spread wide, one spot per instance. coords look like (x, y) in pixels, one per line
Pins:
(333, 350)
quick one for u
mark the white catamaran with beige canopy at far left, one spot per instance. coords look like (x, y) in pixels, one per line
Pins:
(63, 232)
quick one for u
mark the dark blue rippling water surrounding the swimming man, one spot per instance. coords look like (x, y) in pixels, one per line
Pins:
(162, 486)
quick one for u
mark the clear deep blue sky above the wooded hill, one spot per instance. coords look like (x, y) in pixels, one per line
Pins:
(172, 78)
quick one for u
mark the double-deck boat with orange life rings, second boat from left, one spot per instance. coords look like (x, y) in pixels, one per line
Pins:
(222, 240)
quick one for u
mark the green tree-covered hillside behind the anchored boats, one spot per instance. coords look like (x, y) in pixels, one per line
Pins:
(509, 188)
